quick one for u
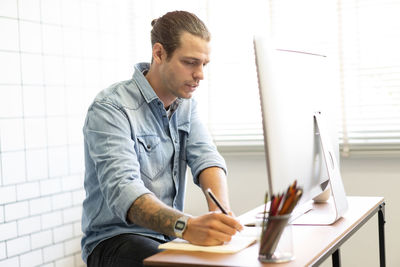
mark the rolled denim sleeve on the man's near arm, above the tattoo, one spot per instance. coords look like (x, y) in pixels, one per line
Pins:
(108, 138)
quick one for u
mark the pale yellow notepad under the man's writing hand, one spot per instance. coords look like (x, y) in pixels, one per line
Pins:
(238, 242)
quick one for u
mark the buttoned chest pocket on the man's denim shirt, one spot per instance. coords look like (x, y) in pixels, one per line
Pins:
(151, 155)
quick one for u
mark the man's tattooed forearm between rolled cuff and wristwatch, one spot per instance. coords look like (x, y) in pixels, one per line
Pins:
(149, 212)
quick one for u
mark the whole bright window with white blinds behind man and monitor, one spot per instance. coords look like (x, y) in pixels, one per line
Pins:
(361, 35)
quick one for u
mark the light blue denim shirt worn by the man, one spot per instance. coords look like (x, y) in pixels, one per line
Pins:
(133, 148)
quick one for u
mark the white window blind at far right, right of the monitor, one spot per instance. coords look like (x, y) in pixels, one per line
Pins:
(369, 75)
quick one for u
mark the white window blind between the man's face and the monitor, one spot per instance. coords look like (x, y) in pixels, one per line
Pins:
(234, 116)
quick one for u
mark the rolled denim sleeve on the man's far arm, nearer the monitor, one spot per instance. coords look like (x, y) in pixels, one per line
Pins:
(201, 151)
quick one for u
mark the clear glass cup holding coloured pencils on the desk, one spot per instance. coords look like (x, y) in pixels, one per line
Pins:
(276, 241)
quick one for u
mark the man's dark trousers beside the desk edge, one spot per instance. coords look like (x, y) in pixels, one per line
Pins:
(123, 250)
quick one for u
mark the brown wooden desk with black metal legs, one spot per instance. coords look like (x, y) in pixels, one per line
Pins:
(312, 244)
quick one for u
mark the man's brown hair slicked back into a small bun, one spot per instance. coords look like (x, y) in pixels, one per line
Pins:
(167, 29)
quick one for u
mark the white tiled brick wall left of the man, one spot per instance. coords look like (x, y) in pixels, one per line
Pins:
(44, 95)
